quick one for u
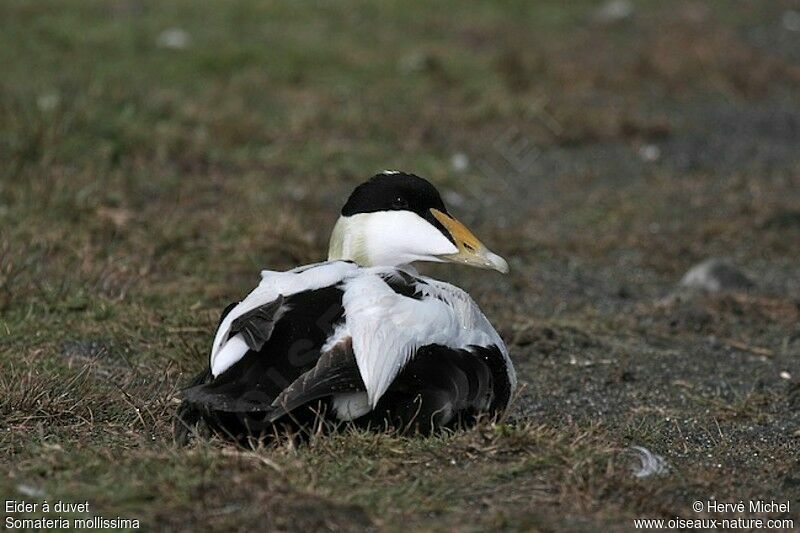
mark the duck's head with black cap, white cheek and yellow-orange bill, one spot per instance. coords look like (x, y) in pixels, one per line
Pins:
(396, 218)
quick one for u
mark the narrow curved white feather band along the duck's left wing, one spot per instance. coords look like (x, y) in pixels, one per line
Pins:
(226, 350)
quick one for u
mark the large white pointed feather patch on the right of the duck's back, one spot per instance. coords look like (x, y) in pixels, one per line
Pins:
(387, 328)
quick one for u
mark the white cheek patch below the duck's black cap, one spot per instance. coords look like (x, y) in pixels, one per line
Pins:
(395, 237)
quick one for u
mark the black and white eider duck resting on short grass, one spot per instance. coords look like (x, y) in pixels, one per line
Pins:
(362, 338)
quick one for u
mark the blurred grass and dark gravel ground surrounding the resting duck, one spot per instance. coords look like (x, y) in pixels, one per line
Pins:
(155, 156)
